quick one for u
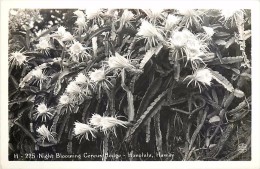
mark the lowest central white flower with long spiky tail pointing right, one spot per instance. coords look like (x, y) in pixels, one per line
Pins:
(106, 123)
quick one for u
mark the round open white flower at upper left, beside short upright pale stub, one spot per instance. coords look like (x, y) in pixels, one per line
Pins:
(78, 52)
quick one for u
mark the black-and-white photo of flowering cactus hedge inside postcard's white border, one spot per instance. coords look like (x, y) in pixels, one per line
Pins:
(129, 84)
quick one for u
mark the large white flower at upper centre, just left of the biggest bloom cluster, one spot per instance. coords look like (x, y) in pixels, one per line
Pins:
(150, 33)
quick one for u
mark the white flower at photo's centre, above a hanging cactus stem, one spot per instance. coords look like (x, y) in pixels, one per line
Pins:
(119, 62)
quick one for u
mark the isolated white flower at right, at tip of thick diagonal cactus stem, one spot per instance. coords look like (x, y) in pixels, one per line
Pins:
(201, 76)
